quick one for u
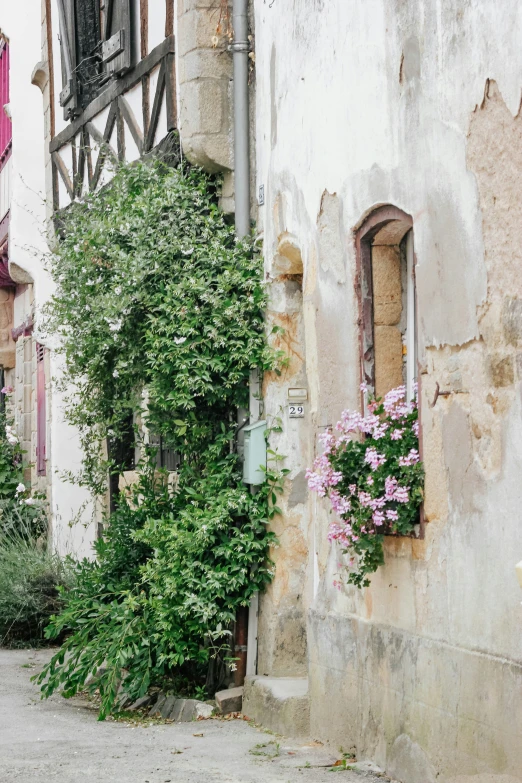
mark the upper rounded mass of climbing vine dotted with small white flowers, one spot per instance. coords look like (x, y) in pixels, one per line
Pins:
(155, 292)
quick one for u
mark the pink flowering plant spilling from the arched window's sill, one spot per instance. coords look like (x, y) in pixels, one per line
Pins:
(371, 472)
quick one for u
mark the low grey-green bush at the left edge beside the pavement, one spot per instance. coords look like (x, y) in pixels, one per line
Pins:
(29, 579)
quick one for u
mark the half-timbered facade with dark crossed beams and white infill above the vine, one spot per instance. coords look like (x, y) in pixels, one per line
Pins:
(114, 95)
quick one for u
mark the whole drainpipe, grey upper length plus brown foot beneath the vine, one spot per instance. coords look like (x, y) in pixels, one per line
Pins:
(240, 49)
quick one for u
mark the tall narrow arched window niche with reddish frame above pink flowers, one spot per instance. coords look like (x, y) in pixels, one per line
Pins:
(386, 275)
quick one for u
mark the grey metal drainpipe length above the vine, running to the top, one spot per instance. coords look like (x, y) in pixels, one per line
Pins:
(240, 49)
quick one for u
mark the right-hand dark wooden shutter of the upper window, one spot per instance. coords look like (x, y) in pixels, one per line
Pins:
(117, 39)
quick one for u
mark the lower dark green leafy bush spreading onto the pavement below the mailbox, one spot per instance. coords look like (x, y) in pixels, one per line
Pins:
(168, 579)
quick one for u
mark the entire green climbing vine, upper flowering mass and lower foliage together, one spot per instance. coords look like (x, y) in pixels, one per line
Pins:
(157, 298)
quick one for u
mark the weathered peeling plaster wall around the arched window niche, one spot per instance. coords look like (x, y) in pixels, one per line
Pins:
(414, 104)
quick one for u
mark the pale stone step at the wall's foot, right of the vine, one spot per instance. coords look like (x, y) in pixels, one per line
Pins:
(280, 704)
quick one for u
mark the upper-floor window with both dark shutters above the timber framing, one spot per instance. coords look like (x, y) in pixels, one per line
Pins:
(96, 46)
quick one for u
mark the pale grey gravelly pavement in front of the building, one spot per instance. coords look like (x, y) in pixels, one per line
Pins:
(62, 740)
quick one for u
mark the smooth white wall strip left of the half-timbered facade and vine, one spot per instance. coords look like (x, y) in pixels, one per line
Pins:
(28, 249)
